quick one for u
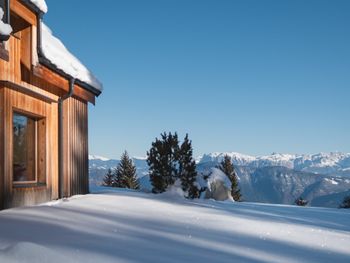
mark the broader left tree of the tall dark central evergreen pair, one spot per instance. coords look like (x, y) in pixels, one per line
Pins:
(162, 161)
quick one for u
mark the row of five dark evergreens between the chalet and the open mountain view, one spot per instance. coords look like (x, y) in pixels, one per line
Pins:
(169, 161)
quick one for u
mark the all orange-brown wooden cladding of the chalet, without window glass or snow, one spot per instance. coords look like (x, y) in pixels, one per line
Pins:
(27, 85)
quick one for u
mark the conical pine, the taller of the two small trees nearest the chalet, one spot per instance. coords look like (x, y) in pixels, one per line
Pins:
(126, 173)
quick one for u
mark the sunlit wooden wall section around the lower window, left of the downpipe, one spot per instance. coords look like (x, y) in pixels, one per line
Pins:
(19, 195)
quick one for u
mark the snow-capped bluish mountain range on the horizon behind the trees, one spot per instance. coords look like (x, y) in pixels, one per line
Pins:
(323, 179)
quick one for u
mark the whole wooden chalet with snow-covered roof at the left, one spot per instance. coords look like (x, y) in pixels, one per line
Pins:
(43, 111)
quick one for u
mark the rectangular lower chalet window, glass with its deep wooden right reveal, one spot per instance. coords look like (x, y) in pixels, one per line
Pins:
(28, 149)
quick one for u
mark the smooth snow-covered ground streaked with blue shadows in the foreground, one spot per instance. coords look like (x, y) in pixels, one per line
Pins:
(127, 226)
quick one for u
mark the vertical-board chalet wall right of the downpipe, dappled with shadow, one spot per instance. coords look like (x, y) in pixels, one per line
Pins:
(76, 159)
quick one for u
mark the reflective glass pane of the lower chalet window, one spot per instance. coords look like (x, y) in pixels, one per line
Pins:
(24, 139)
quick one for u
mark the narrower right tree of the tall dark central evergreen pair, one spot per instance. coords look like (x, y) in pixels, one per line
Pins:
(187, 169)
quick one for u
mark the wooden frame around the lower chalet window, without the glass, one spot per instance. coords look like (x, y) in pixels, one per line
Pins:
(40, 150)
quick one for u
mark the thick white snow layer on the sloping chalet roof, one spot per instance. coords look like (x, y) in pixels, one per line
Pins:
(55, 51)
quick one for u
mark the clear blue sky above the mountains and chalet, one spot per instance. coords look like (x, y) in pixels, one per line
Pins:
(249, 76)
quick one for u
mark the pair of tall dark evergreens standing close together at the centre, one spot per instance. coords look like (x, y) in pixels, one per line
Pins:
(168, 162)
